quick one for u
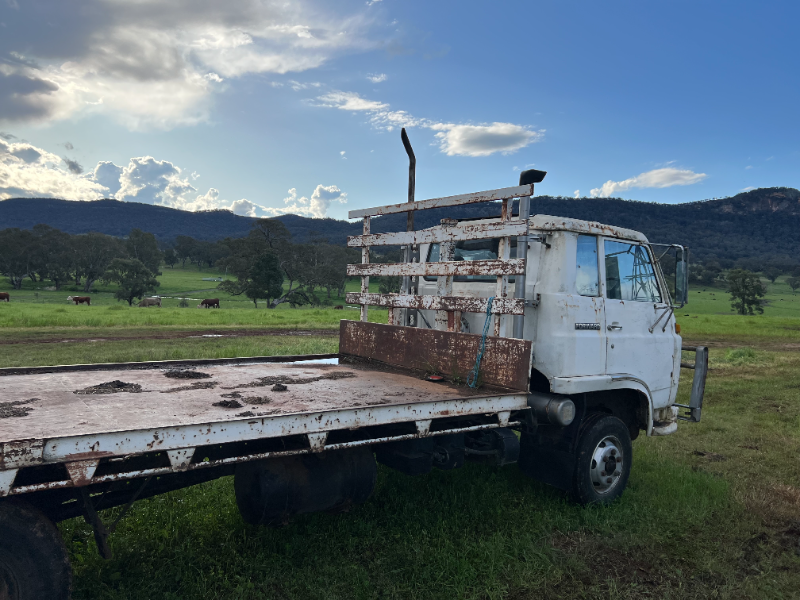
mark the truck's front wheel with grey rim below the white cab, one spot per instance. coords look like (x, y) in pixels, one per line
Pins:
(603, 460)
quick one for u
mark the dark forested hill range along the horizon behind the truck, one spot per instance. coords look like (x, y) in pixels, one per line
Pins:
(763, 223)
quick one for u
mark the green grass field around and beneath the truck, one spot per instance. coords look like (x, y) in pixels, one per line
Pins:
(711, 512)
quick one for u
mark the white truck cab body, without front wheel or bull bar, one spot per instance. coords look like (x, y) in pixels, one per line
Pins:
(599, 313)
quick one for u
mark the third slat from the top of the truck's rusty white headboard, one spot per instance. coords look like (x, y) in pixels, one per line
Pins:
(514, 266)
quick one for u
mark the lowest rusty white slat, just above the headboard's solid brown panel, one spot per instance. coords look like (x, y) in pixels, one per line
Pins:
(504, 306)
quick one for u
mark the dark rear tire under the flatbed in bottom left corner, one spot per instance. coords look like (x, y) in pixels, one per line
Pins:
(33, 560)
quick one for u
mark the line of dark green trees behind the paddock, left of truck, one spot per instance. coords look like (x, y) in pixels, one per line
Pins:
(263, 265)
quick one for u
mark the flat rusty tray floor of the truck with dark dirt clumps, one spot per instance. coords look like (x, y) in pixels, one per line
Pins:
(78, 403)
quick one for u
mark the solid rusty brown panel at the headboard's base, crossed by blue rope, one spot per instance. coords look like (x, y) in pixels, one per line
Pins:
(505, 363)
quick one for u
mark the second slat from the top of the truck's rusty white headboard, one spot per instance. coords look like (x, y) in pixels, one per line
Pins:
(463, 231)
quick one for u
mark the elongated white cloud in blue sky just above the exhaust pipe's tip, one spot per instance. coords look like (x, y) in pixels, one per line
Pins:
(453, 139)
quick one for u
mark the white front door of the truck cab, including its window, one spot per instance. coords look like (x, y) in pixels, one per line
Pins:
(634, 303)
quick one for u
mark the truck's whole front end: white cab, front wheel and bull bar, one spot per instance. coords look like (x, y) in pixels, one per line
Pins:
(599, 313)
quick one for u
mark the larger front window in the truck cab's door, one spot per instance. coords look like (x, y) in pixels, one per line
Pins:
(629, 273)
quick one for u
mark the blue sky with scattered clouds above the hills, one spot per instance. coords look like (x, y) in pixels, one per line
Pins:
(273, 107)
